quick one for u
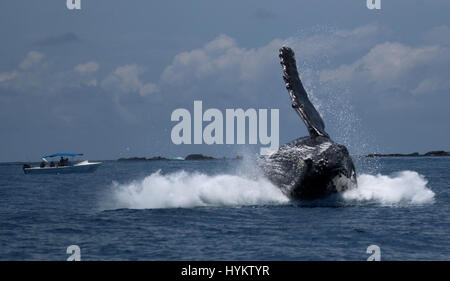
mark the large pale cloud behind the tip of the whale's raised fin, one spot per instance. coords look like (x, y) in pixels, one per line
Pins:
(222, 63)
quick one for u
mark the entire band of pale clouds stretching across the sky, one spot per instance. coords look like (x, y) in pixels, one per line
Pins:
(225, 69)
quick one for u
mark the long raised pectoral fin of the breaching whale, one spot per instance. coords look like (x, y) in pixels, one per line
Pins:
(300, 100)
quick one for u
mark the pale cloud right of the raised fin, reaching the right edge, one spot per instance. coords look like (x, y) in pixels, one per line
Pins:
(416, 70)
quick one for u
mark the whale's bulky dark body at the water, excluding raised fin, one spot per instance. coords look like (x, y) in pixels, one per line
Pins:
(310, 168)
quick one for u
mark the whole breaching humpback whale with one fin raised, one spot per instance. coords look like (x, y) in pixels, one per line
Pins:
(311, 167)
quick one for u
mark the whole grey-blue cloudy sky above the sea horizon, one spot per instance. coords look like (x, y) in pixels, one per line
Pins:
(104, 80)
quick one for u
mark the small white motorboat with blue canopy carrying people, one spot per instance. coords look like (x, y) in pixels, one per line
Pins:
(50, 165)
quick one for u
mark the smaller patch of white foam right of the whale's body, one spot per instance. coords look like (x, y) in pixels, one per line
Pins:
(406, 187)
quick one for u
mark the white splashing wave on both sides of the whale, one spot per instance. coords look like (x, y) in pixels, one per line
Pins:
(186, 190)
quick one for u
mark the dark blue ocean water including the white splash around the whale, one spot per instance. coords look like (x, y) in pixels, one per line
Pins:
(223, 210)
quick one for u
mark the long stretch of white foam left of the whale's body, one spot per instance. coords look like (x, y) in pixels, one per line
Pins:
(183, 189)
